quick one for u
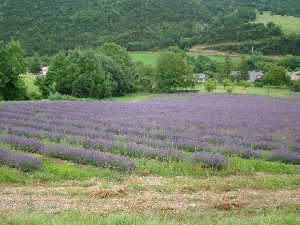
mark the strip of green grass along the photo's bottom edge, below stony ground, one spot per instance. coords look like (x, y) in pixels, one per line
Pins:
(78, 218)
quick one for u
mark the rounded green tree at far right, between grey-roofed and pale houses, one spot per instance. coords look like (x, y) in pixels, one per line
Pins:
(276, 76)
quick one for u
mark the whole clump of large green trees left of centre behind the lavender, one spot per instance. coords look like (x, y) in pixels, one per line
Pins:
(105, 72)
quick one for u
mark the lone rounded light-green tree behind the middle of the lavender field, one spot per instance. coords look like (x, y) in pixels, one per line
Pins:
(173, 72)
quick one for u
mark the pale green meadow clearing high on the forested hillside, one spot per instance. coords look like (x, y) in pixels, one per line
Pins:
(289, 24)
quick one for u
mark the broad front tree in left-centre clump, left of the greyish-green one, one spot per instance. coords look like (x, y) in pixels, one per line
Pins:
(78, 73)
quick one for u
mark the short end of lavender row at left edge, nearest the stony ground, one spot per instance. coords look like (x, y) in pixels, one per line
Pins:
(24, 162)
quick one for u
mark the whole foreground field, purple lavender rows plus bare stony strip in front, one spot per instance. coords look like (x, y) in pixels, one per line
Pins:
(172, 158)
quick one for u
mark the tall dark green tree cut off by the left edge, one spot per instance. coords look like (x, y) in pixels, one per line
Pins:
(12, 64)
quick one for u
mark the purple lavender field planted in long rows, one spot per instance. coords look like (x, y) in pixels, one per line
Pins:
(205, 130)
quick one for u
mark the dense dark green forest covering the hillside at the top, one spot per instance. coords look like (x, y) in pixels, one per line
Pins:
(47, 27)
